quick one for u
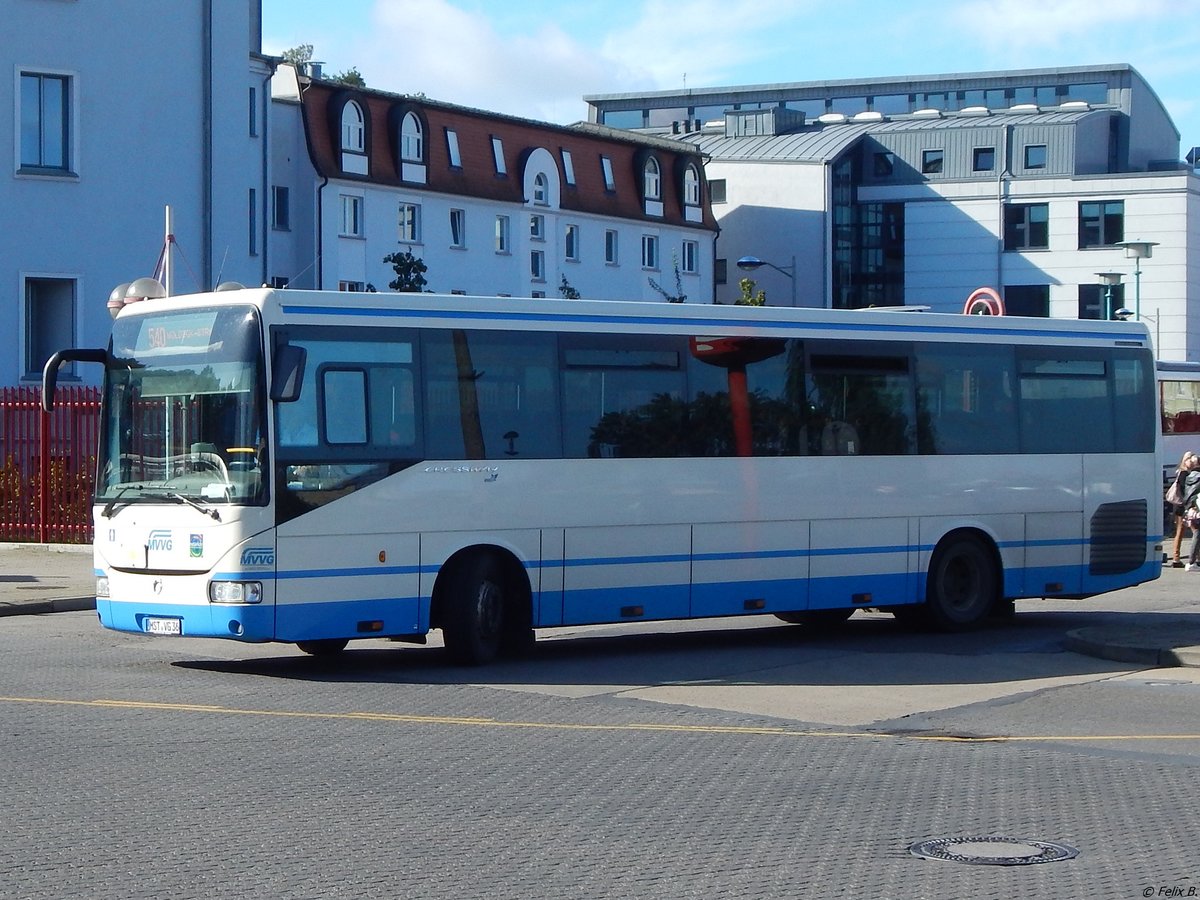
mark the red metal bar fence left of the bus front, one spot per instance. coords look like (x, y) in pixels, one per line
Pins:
(49, 465)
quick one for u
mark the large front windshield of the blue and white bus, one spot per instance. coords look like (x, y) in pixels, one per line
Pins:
(185, 410)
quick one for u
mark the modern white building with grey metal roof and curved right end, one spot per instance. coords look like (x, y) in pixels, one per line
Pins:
(1043, 185)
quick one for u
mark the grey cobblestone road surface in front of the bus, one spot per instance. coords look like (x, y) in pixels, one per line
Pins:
(141, 767)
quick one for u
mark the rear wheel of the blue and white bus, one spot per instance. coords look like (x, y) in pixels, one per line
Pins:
(963, 586)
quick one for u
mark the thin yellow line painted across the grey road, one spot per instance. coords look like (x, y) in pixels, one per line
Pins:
(401, 718)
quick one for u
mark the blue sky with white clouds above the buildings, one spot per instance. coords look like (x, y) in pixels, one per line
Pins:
(538, 59)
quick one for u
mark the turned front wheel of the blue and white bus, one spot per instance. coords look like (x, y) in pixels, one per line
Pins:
(475, 610)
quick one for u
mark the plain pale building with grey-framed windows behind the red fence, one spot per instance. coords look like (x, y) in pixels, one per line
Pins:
(101, 147)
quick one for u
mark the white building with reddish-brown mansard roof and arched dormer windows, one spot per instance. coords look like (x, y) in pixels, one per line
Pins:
(490, 205)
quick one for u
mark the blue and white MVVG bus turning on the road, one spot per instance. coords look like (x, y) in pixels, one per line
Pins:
(317, 467)
